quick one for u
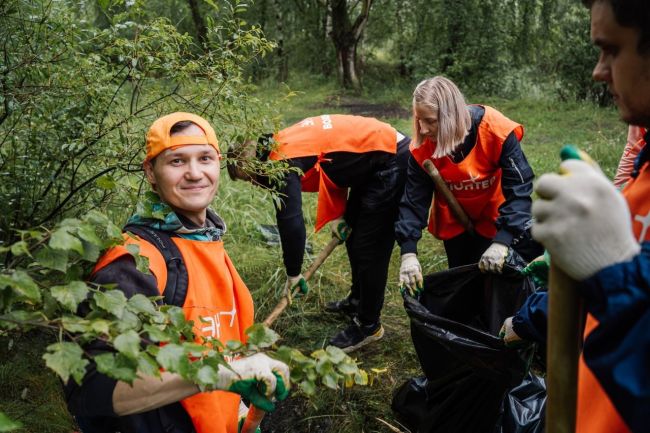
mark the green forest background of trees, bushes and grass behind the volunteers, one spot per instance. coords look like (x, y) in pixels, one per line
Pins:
(80, 82)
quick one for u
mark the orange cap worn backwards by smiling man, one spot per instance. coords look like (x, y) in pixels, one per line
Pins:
(158, 138)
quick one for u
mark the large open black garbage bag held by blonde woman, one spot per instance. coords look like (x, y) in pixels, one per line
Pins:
(468, 370)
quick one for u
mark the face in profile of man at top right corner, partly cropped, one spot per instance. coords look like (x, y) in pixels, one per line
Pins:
(626, 72)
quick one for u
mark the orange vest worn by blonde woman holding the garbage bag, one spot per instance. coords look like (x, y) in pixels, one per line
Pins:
(475, 181)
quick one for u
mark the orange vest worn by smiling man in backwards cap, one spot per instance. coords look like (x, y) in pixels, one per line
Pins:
(219, 304)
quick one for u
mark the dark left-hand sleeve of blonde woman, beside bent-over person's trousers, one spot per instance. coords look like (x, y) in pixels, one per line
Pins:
(414, 207)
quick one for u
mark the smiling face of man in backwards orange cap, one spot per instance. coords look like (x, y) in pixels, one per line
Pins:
(186, 178)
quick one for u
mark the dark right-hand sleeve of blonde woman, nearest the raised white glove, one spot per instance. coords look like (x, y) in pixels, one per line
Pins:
(517, 186)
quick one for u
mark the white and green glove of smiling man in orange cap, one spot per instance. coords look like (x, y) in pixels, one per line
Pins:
(257, 378)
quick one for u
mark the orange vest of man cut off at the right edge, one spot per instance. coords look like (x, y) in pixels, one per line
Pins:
(596, 413)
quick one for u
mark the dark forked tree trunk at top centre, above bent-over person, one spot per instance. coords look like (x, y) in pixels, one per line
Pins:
(346, 37)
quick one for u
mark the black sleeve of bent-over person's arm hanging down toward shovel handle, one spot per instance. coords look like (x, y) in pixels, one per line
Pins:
(291, 224)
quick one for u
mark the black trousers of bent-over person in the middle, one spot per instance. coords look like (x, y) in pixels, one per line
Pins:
(371, 213)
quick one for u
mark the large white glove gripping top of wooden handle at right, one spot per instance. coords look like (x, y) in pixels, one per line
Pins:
(582, 220)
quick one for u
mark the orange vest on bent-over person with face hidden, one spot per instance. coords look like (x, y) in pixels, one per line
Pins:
(320, 135)
